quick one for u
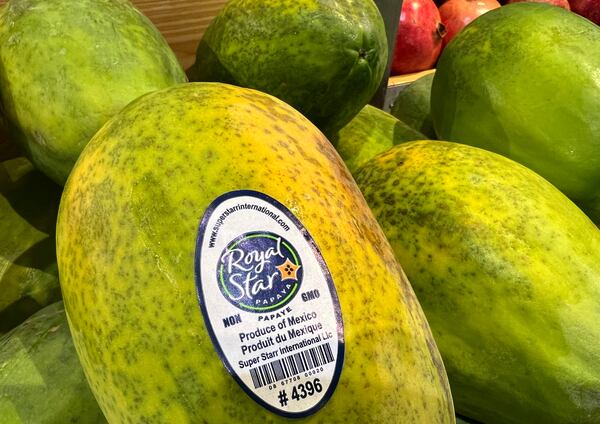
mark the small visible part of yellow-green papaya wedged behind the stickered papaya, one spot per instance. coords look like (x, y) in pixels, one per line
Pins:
(371, 132)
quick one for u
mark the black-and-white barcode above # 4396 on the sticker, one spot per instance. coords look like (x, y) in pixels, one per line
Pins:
(291, 365)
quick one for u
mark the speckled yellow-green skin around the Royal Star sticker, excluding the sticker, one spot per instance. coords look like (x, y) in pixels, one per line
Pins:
(126, 237)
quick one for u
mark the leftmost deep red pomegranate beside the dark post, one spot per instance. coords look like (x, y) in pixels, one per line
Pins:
(419, 37)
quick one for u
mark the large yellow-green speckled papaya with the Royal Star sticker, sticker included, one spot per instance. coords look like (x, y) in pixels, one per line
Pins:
(204, 281)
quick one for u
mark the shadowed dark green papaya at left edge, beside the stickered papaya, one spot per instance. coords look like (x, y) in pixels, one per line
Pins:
(28, 271)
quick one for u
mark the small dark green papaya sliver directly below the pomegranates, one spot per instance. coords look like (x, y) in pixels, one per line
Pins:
(413, 106)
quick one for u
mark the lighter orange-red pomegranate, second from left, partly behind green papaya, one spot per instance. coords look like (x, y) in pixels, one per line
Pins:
(456, 14)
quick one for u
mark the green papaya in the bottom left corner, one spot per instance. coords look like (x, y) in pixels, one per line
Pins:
(42, 381)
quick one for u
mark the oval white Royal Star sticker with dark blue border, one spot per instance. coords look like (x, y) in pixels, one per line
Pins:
(269, 303)
